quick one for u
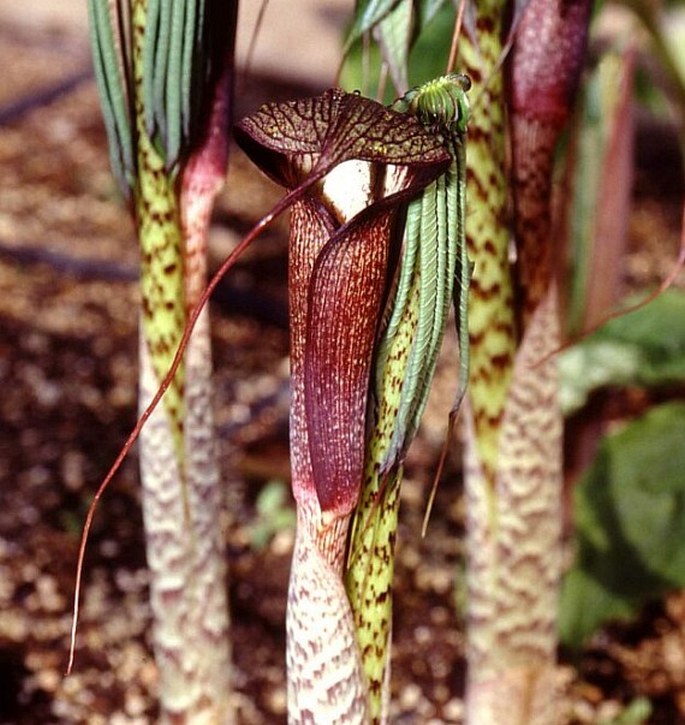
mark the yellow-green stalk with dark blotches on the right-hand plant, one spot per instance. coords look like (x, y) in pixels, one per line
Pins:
(491, 311)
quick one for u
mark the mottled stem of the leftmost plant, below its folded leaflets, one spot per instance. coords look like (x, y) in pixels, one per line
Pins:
(179, 470)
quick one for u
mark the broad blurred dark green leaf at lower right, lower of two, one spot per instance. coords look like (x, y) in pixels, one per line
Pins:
(630, 524)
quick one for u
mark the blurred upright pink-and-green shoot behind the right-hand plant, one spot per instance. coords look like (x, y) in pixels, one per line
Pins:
(597, 209)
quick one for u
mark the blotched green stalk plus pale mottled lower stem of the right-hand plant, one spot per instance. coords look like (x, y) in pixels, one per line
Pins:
(513, 435)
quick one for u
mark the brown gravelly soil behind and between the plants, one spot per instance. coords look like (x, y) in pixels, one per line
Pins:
(68, 301)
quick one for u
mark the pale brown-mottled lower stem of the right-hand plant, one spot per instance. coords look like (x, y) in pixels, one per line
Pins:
(514, 571)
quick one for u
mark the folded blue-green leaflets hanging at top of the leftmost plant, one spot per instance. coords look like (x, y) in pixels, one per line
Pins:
(175, 69)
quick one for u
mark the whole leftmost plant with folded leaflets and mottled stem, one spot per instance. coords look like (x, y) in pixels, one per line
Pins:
(163, 71)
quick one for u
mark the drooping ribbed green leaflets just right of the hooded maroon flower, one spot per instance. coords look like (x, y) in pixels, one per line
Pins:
(437, 218)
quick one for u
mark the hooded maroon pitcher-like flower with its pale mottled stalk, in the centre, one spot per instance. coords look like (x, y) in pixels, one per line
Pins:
(345, 234)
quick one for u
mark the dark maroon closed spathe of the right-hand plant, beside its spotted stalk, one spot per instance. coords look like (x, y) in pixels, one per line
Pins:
(544, 71)
